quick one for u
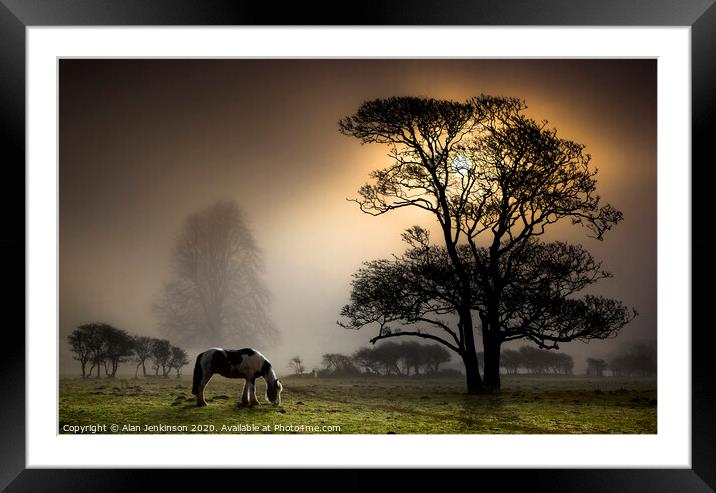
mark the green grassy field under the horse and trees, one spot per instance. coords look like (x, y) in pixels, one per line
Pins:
(348, 406)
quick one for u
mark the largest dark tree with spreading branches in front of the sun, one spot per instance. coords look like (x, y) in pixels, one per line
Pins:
(489, 176)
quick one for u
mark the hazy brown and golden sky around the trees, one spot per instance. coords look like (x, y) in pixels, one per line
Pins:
(143, 143)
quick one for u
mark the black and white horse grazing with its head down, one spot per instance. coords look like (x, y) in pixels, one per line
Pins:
(244, 363)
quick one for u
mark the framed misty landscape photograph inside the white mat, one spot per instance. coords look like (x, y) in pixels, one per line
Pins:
(357, 246)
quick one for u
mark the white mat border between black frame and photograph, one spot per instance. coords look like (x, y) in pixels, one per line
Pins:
(671, 447)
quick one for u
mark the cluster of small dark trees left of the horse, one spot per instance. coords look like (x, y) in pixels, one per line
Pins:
(101, 346)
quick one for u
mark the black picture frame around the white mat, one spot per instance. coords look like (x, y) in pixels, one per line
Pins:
(16, 15)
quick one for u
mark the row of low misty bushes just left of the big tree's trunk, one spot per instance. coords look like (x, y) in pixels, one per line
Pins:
(387, 359)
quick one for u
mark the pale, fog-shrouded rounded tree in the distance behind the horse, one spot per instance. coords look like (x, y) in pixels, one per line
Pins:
(216, 296)
